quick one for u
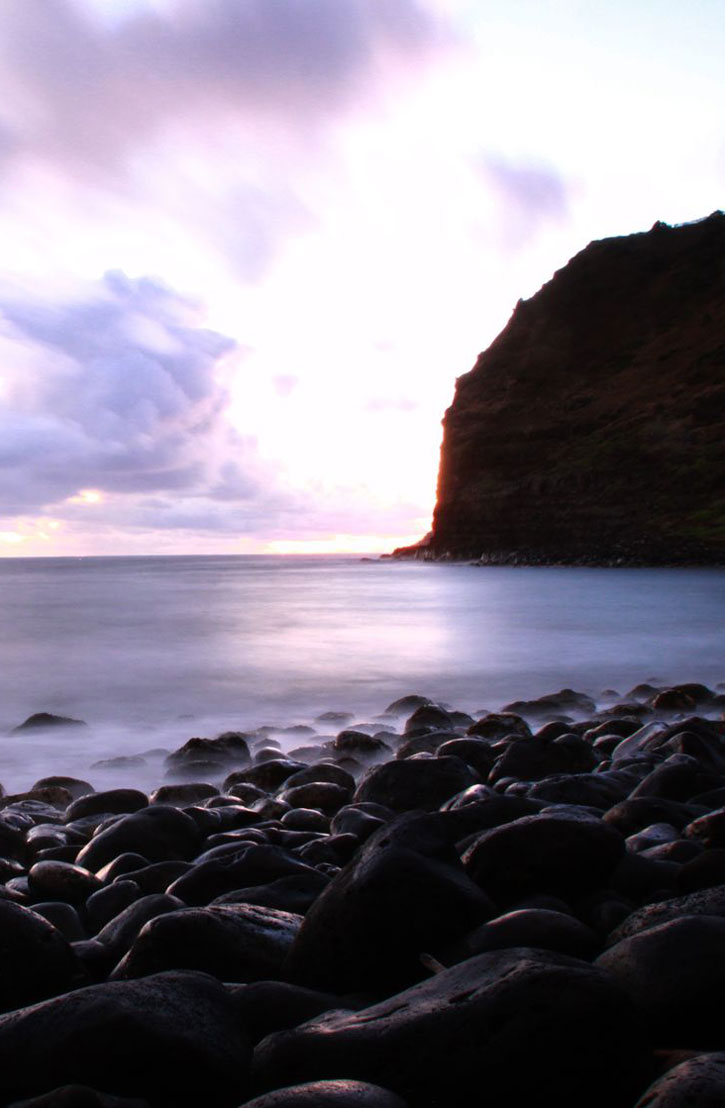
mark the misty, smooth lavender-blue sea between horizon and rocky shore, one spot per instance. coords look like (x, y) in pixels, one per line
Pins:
(151, 651)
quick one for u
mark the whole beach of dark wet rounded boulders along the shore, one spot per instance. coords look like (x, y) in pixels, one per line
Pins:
(432, 911)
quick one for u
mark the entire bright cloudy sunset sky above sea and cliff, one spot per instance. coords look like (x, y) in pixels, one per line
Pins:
(249, 245)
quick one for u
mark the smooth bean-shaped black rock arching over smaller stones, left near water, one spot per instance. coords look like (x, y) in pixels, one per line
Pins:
(160, 834)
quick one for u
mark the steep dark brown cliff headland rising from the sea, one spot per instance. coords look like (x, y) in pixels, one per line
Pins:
(594, 429)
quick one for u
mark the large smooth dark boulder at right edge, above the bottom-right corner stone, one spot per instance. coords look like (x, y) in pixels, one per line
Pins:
(675, 972)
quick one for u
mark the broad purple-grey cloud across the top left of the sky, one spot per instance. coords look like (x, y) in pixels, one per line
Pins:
(79, 90)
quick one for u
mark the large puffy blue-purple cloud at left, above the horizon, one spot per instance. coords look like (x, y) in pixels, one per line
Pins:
(120, 391)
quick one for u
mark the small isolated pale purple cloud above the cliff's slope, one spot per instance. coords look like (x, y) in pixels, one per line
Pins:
(529, 196)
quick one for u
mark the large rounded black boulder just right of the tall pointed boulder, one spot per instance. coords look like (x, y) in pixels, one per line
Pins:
(558, 855)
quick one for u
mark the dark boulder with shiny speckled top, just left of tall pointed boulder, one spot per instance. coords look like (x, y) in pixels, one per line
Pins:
(233, 942)
